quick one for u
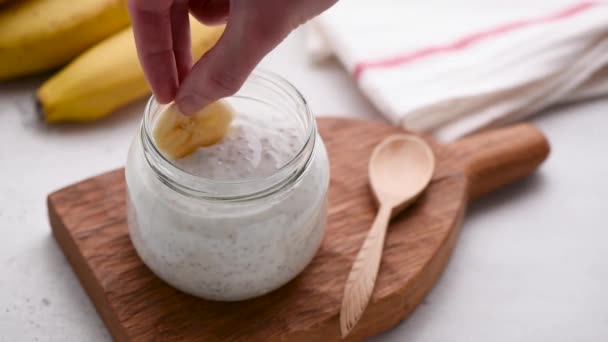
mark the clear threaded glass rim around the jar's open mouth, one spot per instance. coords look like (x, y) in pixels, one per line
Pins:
(234, 190)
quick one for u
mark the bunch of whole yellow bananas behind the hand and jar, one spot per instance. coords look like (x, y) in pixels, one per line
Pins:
(94, 39)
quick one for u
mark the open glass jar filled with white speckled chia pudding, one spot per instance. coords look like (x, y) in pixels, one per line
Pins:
(238, 236)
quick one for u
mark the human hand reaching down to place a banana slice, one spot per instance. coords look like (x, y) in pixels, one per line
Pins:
(253, 29)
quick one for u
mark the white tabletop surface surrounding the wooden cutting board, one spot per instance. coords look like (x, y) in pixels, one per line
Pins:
(531, 263)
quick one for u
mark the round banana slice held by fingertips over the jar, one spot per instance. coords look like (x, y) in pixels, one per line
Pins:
(177, 135)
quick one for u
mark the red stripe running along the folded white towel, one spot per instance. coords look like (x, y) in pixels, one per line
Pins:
(467, 41)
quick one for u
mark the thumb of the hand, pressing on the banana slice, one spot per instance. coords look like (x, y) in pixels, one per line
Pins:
(222, 70)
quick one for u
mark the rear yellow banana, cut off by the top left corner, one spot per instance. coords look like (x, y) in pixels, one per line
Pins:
(38, 35)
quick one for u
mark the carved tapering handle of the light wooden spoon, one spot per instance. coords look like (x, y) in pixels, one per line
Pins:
(362, 277)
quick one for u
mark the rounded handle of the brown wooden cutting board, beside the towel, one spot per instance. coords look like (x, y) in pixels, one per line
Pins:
(498, 157)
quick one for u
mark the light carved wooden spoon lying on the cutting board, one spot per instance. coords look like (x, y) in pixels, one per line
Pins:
(400, 168)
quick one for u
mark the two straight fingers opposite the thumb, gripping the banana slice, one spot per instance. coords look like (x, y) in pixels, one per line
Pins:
(163, 45)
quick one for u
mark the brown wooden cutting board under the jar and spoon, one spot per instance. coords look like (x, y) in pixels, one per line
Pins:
(88, 221)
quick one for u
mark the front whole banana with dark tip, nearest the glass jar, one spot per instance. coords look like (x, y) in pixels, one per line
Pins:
(106, 77)
